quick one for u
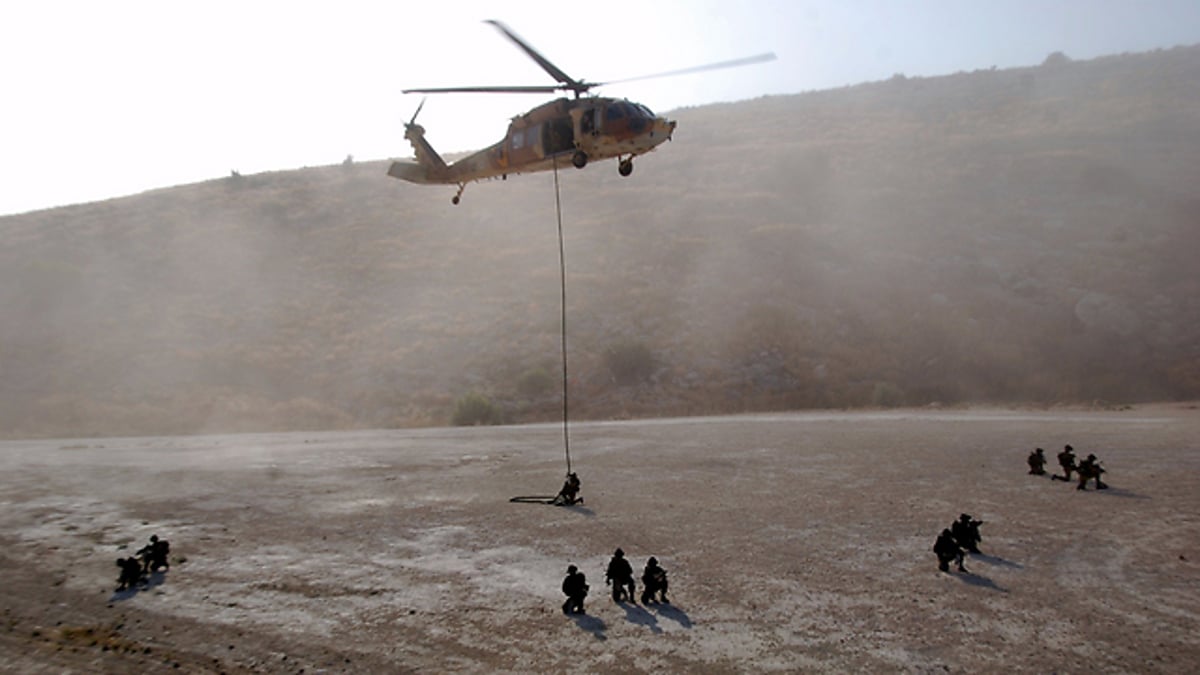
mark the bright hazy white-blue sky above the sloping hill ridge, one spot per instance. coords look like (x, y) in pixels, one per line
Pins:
(110, 99)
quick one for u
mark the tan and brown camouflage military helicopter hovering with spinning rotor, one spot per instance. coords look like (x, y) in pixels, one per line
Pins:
(583, 128)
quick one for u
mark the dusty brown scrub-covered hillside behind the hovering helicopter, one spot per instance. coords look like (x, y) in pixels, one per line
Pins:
(1019, 236)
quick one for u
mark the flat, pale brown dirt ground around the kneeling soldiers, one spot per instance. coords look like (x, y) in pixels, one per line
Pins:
(794, 542)
